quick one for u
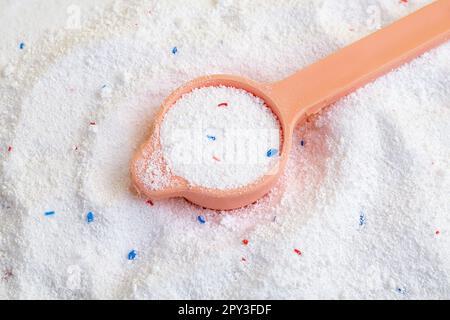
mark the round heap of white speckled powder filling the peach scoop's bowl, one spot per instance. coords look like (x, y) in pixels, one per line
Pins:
(219, 137)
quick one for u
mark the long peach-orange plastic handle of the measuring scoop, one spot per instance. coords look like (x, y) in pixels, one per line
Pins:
(333, 77)
